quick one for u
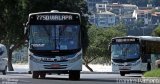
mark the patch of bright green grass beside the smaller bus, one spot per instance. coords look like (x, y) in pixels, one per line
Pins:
(152, 73)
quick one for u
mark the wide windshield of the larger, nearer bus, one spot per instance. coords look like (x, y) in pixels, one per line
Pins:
(54, 37)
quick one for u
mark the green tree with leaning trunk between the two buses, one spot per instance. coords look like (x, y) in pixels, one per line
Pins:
(99, 39)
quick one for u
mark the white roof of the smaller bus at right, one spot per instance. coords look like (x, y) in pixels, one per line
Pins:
(149, 38)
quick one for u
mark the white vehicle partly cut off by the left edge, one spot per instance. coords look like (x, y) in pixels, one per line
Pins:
(3, 60)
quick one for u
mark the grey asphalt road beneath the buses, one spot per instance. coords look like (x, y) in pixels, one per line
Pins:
(88, 78)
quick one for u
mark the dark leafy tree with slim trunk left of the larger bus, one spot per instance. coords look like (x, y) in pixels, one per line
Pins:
(11, 18)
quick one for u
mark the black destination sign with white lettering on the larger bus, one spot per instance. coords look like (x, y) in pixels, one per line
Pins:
(51, 18)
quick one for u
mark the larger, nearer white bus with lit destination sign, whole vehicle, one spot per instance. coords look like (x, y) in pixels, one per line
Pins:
(54, 44)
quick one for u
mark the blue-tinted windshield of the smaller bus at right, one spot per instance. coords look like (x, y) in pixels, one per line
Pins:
(125, 51)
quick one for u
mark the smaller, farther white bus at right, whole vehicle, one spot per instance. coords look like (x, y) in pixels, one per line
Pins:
(134, 54)
